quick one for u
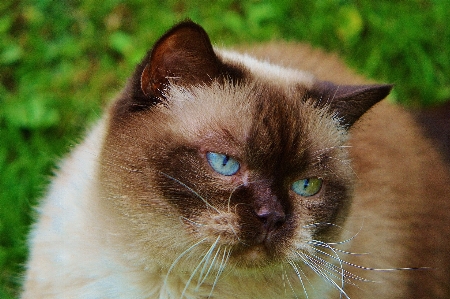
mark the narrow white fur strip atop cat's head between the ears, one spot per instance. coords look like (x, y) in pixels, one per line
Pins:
(266, 70)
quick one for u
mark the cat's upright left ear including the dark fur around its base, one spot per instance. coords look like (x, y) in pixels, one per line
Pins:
(183, 56)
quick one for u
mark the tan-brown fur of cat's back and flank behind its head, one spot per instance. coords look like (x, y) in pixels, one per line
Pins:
(402, 198)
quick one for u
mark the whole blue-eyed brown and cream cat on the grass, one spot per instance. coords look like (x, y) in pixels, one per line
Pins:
(217, 174)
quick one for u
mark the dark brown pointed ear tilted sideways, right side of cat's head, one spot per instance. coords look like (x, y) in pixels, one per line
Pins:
(349, 102)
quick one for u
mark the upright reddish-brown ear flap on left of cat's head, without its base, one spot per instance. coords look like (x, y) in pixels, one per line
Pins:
(184, 56)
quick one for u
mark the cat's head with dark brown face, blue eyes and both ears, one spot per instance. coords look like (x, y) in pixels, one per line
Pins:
(212, 150)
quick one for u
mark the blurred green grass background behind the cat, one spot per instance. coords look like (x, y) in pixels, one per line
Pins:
(61, 62)
